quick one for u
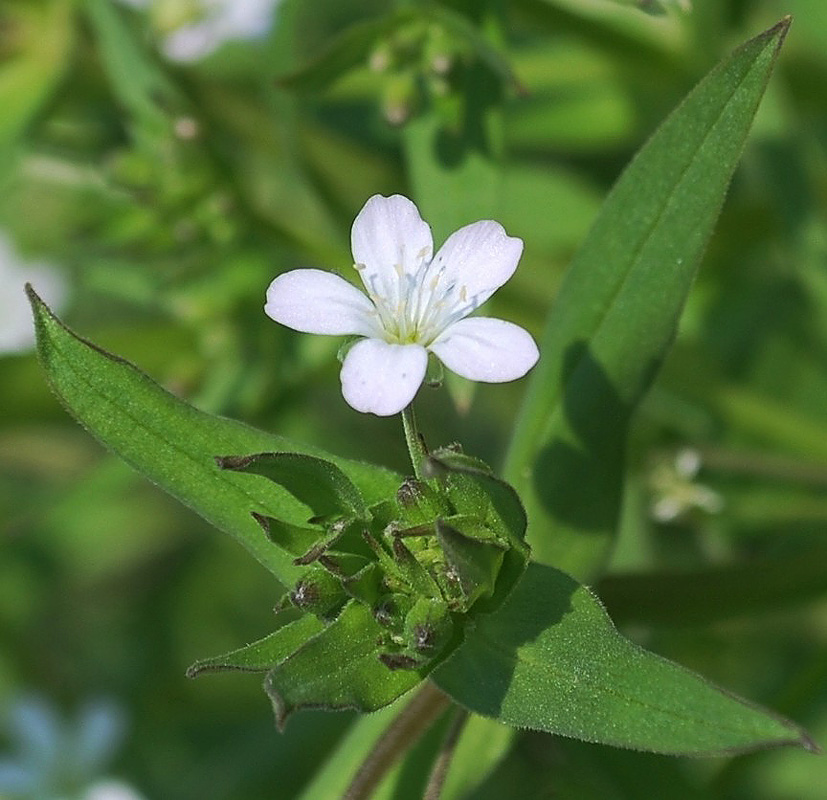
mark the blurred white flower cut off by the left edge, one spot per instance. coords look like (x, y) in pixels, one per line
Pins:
(16, 327)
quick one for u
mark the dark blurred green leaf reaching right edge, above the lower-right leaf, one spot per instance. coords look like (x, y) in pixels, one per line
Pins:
(699, 597)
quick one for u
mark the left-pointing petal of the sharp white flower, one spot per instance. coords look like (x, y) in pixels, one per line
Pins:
(314, 301)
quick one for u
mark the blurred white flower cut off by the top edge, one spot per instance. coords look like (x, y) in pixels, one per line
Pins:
(192, 29)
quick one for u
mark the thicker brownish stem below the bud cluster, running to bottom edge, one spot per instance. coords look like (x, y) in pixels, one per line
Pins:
(427, 704)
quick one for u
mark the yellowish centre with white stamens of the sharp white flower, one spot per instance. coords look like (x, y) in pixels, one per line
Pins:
(414, 307)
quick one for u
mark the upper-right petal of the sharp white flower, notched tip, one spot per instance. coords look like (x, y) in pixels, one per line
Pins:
(476, 260)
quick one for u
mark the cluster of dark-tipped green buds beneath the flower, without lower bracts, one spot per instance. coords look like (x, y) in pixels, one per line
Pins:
(446, 544)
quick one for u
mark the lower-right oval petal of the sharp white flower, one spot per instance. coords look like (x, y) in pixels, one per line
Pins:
(486, 349)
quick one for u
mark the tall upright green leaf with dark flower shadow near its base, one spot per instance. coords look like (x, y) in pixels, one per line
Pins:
(617, 310)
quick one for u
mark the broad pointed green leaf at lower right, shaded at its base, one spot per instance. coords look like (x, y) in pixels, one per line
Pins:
(550, 659)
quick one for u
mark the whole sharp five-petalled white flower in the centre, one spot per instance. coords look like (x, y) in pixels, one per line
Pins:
(416, 302)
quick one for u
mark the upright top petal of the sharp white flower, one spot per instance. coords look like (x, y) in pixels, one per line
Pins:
(387, 234)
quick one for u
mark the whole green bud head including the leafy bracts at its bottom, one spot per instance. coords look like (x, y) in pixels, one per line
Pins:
(419, 564)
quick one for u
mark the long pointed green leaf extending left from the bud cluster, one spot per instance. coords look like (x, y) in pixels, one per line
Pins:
(174, 444)
